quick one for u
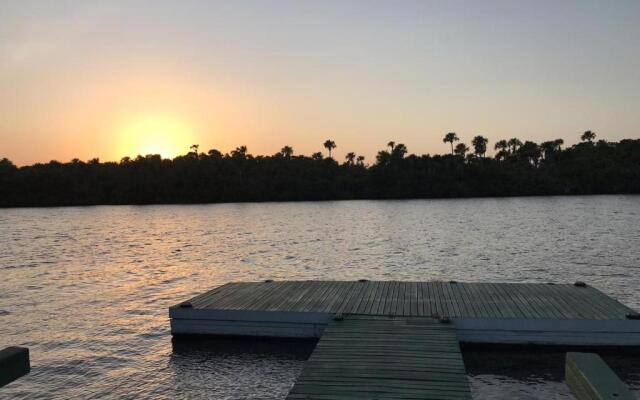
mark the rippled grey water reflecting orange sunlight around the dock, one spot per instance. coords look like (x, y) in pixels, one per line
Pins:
(87, 289)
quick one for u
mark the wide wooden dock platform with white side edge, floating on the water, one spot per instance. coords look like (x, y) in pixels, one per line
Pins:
(561, 314)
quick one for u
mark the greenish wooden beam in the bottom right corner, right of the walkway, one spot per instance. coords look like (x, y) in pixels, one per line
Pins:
(590, 378)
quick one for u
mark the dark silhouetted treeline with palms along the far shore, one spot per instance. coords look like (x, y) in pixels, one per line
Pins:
(517, 169)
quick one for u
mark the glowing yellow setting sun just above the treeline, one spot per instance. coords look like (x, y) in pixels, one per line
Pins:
(157, 134)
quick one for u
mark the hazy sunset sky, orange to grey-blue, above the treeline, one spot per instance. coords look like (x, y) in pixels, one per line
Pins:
(85, 79)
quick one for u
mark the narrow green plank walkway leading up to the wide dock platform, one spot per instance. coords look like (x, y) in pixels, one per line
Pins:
(374, 357)
